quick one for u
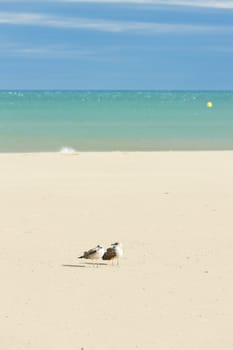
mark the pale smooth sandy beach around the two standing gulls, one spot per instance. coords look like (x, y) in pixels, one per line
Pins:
(172, 211)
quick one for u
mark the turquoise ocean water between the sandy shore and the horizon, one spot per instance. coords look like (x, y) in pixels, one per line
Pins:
(44, 121)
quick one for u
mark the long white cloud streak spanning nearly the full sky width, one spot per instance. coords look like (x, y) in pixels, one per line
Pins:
(35, 19)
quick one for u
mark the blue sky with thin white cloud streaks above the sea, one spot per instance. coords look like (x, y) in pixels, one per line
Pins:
(116, 44)
